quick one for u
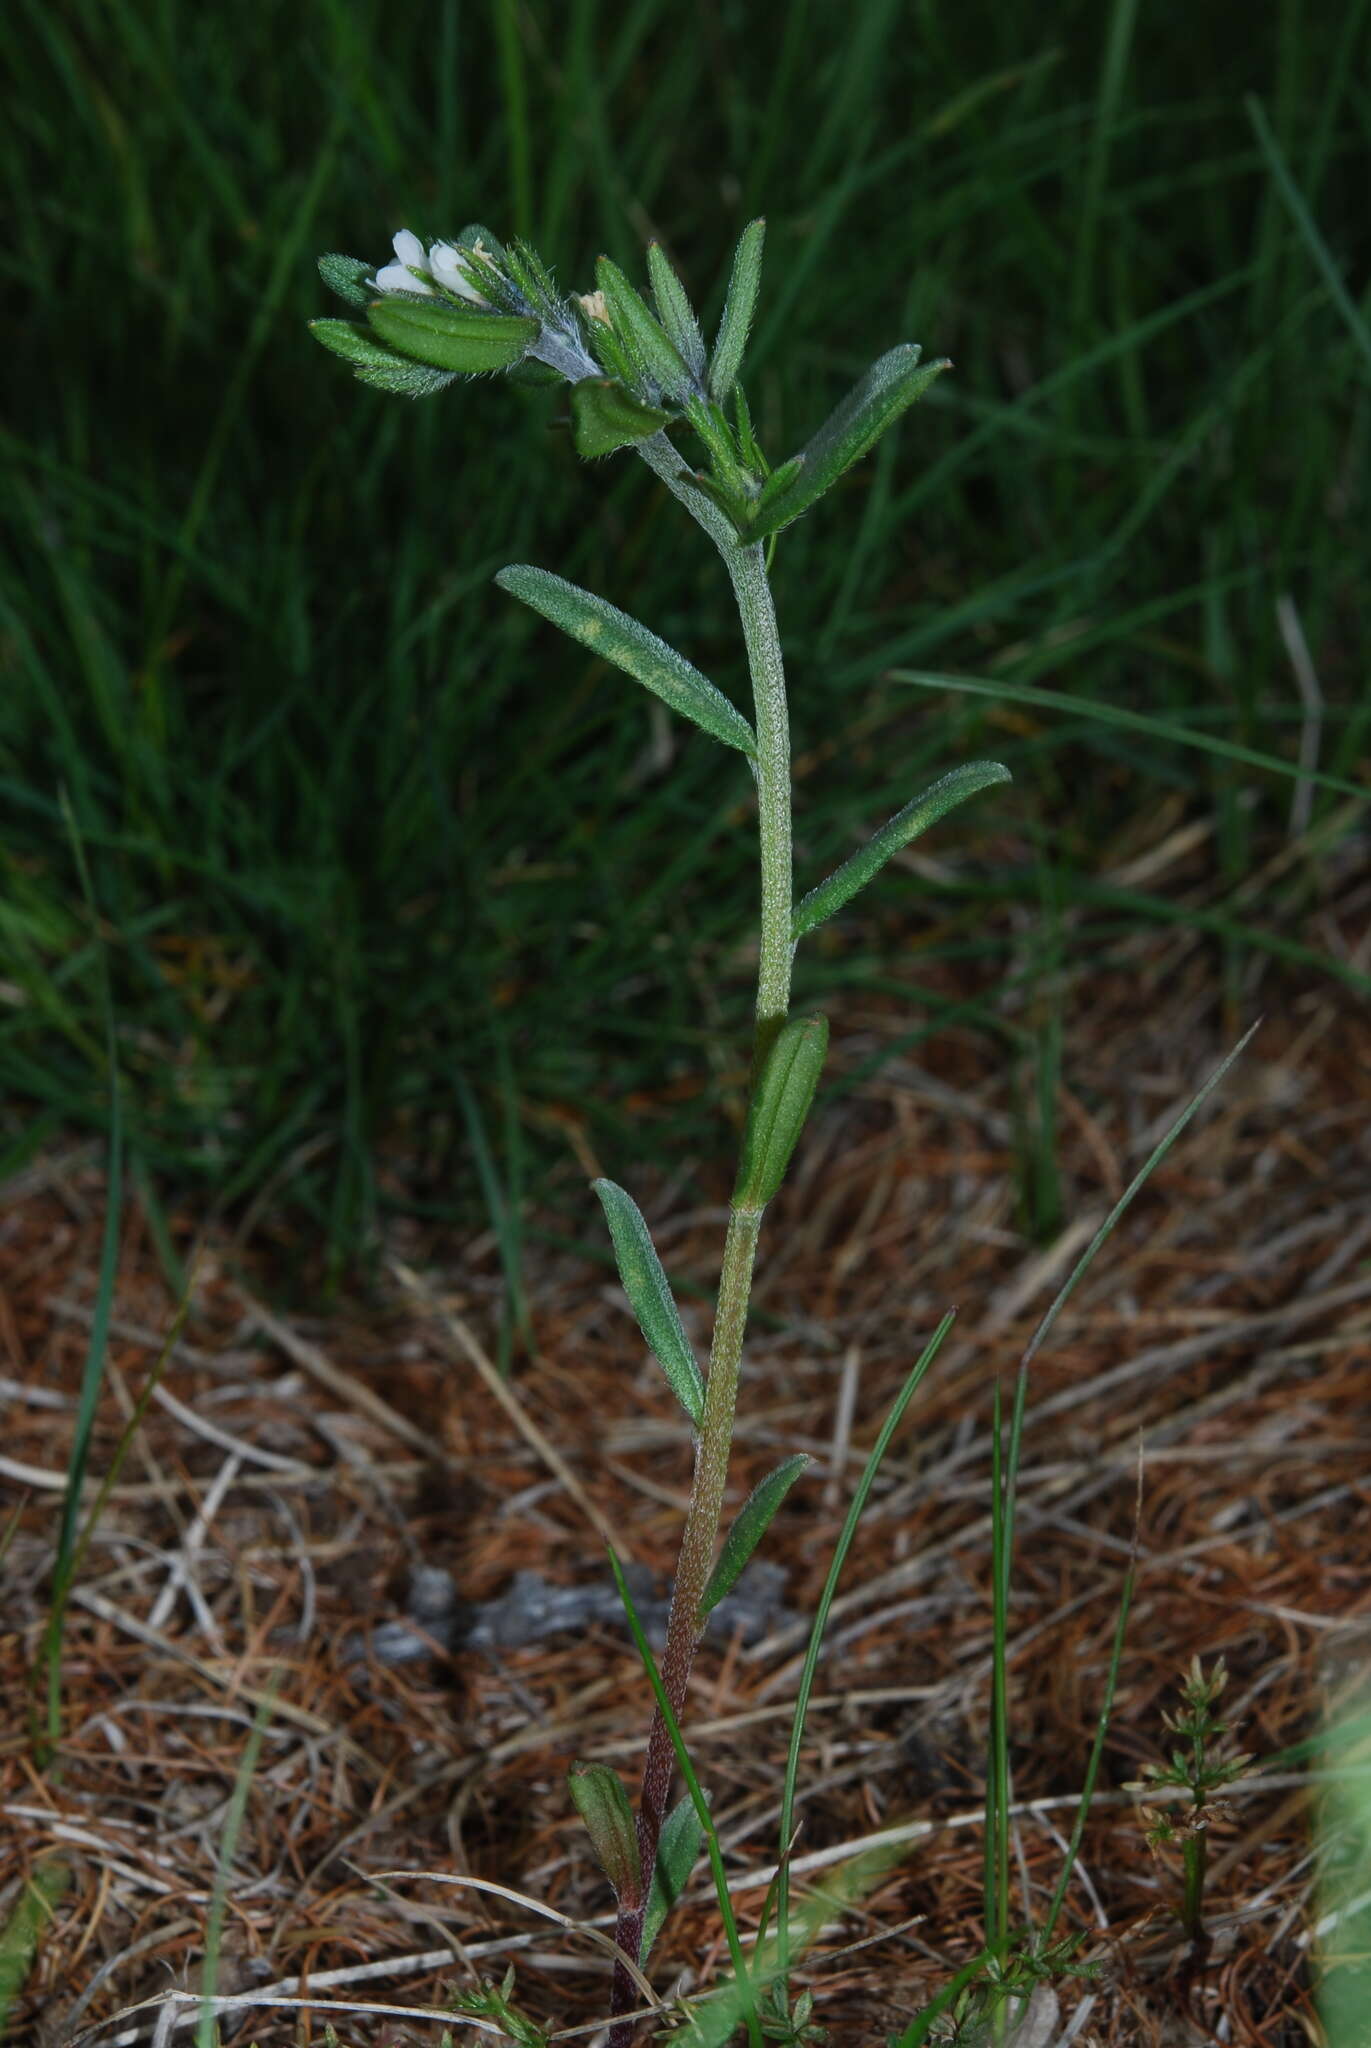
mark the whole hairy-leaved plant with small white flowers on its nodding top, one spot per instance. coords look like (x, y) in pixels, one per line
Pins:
(638, 374)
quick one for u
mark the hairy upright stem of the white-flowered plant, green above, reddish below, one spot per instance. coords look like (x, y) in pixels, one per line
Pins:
(774, 988)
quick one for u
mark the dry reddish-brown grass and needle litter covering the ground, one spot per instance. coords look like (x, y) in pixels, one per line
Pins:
(292, 1476)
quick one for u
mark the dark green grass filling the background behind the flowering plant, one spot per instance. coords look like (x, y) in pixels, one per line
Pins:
(366, 882)
